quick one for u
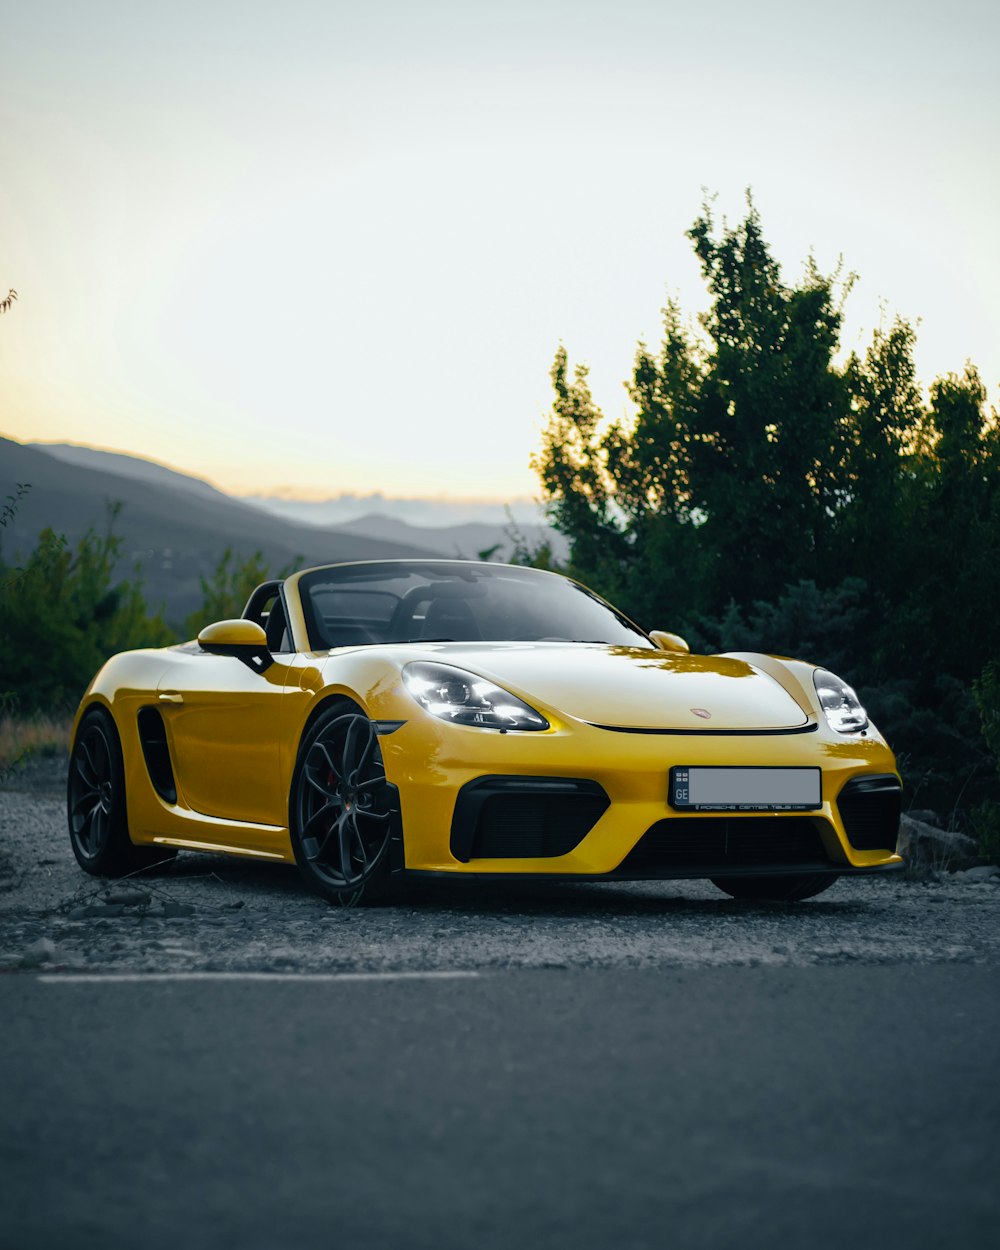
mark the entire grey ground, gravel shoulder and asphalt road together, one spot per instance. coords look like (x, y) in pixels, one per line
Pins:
(224, 1061)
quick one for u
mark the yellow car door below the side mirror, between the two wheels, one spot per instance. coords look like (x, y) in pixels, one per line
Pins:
(224, 723)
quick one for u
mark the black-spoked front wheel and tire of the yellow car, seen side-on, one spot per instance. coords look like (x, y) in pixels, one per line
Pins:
(344, 814)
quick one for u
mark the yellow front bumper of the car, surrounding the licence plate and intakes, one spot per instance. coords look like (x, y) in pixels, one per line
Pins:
(432, 763)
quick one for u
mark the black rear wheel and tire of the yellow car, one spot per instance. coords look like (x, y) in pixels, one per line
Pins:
(97, 809)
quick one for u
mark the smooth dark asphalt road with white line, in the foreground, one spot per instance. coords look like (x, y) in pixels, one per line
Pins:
(842, 1107)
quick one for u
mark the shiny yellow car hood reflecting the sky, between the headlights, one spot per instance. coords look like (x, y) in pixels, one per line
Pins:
(632, 688)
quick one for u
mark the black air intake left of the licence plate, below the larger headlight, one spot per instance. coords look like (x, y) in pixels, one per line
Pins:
(524, 818)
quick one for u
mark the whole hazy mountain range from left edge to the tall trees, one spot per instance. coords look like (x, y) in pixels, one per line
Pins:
(176, 527)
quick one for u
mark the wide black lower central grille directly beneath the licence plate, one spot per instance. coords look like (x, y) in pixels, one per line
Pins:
(688, 843)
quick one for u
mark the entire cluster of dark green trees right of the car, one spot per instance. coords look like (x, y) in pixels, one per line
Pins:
(764, 497)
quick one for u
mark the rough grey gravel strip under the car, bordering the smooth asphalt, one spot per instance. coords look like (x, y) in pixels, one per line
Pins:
(216, 913)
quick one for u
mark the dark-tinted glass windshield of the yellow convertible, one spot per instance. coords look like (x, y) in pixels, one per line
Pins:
(454, 602)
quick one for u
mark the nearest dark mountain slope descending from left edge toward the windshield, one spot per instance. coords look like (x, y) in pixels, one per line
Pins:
(174, 528)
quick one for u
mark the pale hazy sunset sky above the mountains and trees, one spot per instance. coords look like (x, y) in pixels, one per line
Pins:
(336, 247)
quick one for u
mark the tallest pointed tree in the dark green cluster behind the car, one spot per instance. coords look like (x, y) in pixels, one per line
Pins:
(772, 436)
